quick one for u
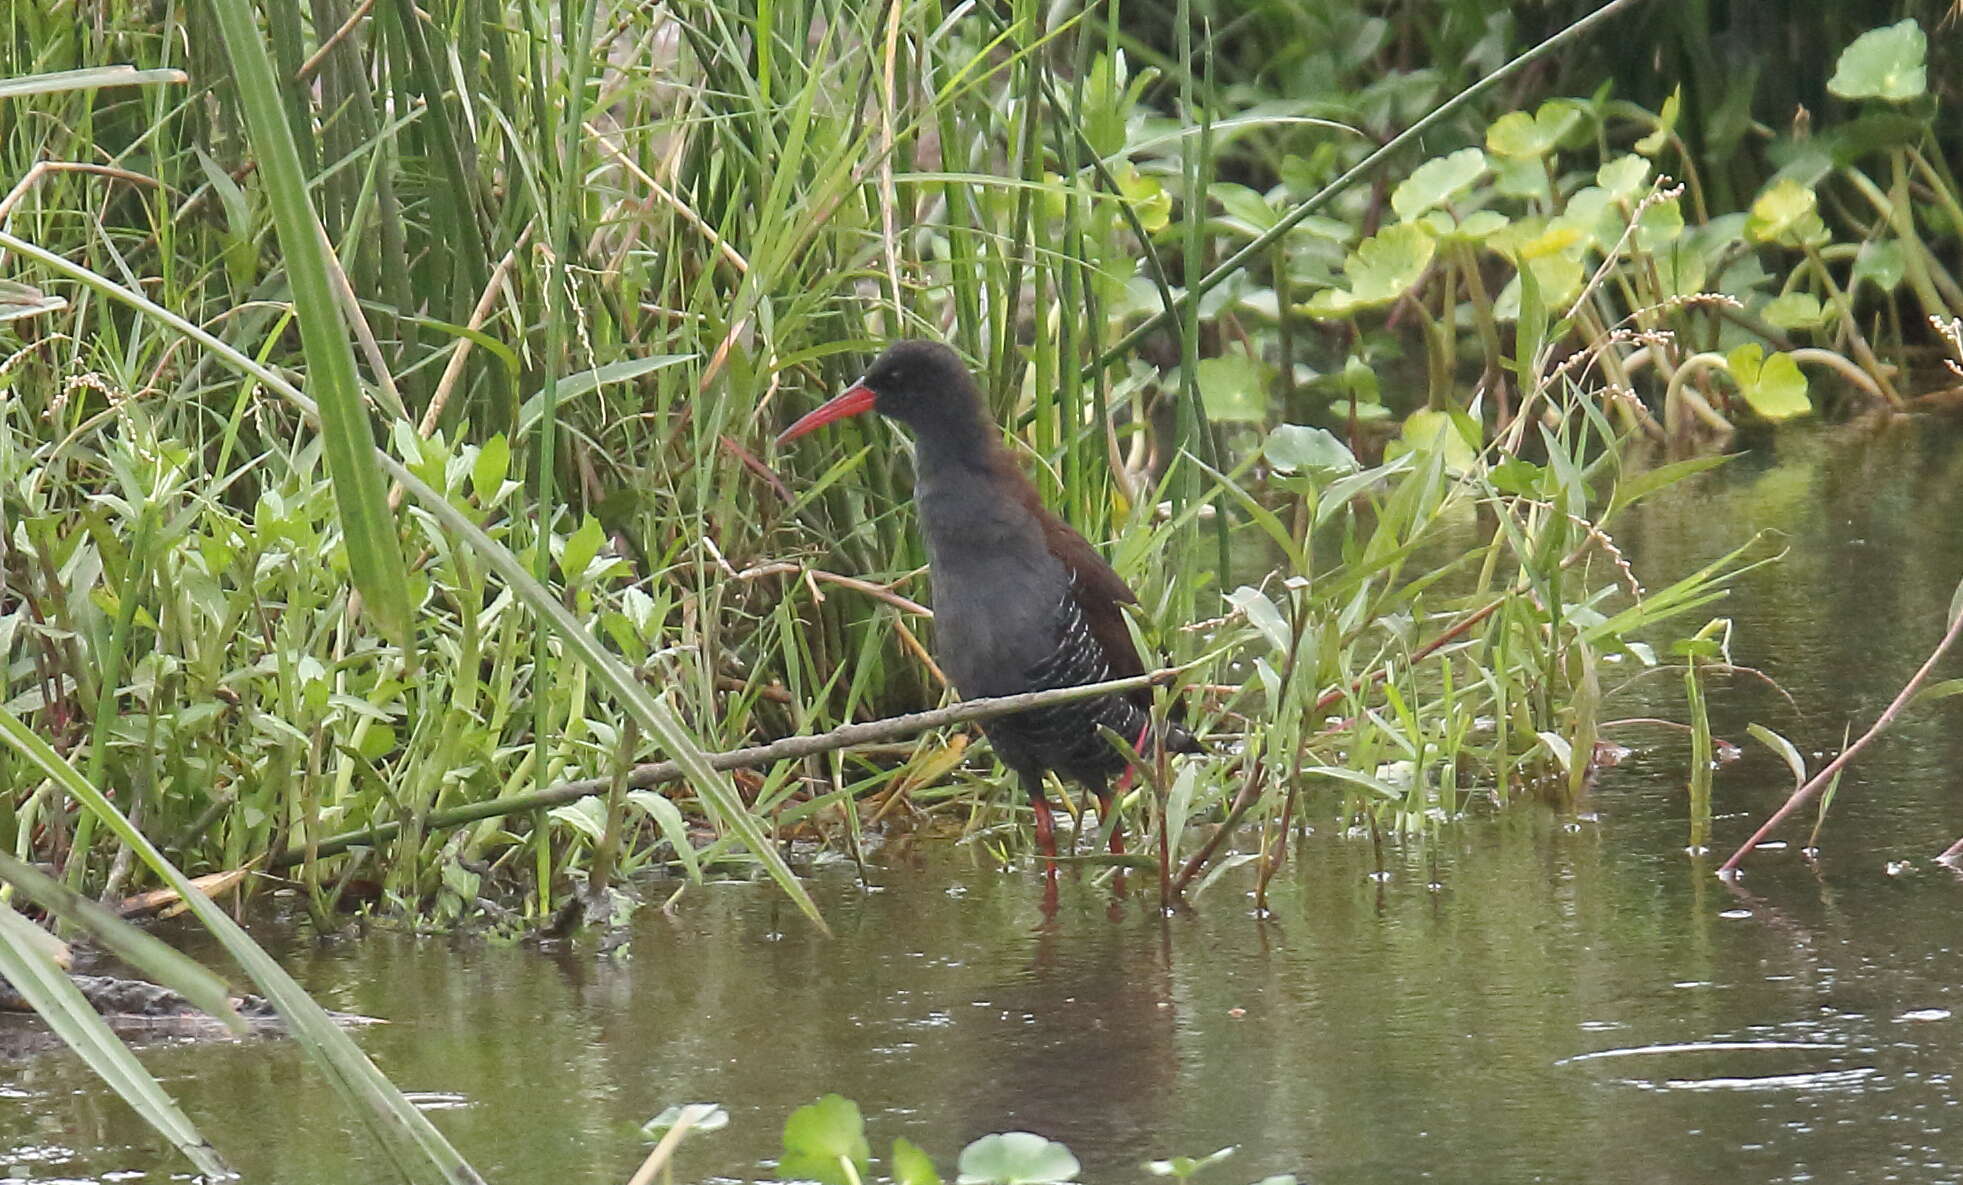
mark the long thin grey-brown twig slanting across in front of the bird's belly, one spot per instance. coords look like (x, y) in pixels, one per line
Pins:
(782, 750)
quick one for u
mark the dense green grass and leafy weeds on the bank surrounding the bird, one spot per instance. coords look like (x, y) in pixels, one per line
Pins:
(592, 276)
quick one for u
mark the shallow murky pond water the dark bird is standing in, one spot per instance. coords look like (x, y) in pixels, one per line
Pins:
(1526, 1000)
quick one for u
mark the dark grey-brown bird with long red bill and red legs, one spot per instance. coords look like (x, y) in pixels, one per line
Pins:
(1022, 599)
